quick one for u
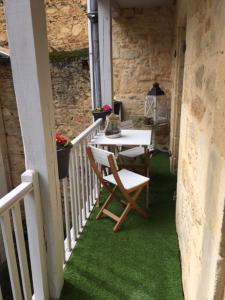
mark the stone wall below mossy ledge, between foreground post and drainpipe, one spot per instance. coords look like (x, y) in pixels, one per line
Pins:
(72, 95)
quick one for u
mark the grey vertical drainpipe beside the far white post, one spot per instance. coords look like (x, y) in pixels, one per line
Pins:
(92, 13)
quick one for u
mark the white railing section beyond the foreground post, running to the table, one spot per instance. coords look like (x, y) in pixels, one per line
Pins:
(80, 189)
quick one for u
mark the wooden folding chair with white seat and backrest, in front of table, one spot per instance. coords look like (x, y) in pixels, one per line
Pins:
(130, 185)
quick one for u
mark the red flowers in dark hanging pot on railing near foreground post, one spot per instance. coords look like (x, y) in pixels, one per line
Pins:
(63, 147)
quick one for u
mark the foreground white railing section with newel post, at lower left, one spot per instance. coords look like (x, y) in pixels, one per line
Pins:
(25, 282)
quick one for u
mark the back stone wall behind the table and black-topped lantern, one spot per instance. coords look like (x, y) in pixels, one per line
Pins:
(142, 51)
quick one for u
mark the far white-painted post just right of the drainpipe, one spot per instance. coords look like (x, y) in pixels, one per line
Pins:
(105, 49)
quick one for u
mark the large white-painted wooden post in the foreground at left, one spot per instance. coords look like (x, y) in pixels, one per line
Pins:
(26, 28)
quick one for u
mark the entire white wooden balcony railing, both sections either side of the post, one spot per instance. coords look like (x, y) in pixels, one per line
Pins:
(79, 193)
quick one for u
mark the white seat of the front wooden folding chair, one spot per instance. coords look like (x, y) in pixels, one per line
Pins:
(129, 179)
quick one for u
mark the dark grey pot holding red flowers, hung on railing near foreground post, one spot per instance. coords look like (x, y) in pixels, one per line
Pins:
(63, 156)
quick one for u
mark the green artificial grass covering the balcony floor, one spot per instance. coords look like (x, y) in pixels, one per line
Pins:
(139, 262)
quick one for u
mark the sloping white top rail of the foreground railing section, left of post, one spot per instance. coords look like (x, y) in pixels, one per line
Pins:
(14, 196)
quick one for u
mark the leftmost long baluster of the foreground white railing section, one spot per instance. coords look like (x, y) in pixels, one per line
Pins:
(11, 256)
